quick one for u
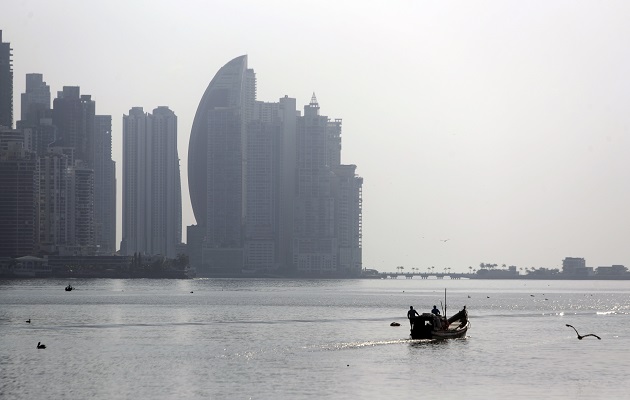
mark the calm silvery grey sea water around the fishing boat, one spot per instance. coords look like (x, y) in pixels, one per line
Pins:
(289, 339)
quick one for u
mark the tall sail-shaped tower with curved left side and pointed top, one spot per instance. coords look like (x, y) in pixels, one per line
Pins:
(217, 164)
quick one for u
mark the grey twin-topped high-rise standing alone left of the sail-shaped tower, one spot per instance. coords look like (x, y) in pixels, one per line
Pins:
(151, 183)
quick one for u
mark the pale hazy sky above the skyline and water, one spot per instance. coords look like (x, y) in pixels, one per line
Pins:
(503, 126)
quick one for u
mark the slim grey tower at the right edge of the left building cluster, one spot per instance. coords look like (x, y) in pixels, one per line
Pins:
(104, 186)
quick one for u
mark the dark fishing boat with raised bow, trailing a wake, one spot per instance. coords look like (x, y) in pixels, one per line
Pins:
(431, 326)
